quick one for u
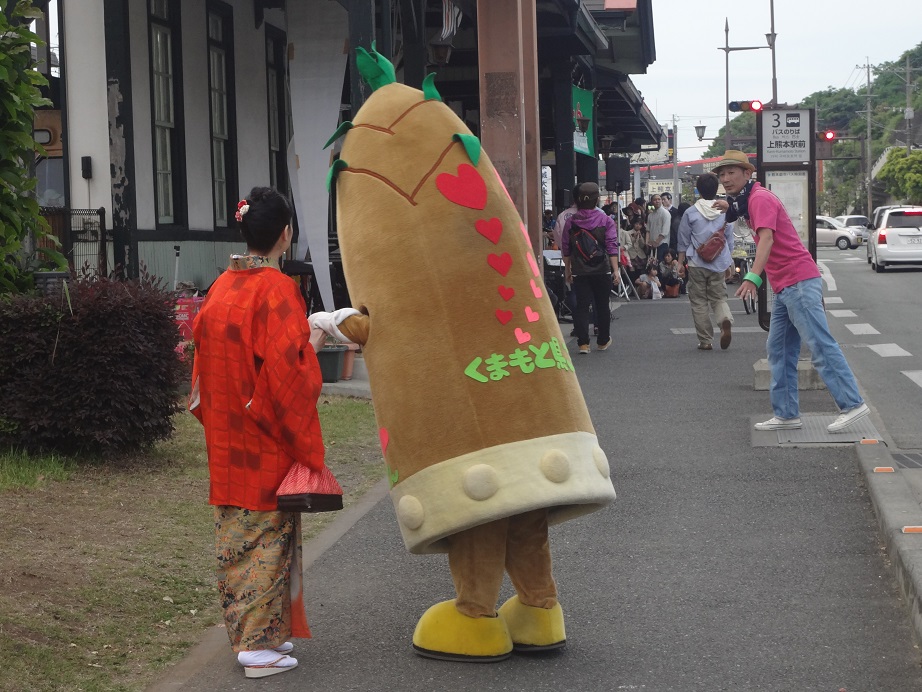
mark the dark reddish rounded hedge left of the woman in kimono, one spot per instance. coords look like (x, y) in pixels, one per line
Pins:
(94, 374)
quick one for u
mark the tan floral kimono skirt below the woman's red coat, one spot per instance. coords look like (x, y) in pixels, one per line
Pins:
(259, 577)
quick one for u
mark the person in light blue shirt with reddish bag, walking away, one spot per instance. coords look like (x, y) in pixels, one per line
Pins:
(707, 286)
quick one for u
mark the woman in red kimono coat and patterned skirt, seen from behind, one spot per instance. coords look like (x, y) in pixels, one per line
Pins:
(255, 384)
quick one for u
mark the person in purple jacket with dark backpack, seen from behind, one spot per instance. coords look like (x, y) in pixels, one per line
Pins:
(589, 245)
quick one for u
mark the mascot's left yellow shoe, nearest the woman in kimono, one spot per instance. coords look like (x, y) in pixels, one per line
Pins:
(445, 633)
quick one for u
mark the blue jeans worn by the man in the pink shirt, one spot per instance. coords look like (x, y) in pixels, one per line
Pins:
(797, 313)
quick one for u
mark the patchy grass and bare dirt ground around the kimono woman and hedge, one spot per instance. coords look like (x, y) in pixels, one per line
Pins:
(107, 573)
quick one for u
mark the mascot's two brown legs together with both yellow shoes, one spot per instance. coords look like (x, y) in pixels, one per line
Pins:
(469, 627)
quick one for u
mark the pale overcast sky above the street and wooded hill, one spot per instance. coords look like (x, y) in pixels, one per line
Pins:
(818, 44)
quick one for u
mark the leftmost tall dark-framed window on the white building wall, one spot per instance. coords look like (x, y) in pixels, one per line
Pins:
(165, 70)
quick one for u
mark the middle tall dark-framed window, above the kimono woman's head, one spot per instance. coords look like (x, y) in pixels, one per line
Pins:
(220, 79)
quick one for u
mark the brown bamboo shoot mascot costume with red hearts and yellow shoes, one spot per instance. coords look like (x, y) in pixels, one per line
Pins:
(484, 429)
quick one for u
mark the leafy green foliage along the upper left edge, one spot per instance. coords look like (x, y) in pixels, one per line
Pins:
(20, 221)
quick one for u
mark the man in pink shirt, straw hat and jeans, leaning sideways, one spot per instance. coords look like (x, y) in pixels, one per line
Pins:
(797, 311)
